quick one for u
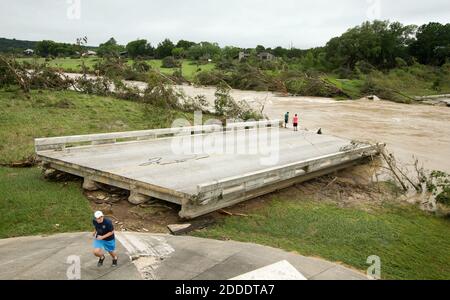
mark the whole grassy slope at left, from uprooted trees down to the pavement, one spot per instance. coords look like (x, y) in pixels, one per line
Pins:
(31, 205)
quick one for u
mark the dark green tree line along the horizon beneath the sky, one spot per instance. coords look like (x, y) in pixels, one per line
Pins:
(377, 44)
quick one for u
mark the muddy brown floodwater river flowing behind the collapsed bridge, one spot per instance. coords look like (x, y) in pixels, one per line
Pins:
(409, 131)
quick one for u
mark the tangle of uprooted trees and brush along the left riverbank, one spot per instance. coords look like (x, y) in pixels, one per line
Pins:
(111, 73)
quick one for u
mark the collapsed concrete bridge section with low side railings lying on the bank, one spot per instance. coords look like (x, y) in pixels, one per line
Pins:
(165, 164)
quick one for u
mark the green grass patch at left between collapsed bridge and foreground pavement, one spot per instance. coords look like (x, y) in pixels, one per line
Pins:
(30, 205)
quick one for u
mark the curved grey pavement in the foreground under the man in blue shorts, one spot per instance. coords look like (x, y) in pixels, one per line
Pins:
(157, 256)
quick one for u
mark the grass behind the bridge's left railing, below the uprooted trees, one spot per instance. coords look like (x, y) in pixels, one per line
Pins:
(48, 113)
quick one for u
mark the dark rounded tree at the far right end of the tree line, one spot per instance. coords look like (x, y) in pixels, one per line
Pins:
(432, 44)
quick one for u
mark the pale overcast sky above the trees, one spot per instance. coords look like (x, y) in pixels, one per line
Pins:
(244, 23)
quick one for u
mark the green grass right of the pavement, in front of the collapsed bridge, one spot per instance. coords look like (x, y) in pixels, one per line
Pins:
(410, 243)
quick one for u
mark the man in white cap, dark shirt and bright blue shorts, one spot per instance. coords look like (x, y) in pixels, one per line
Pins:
(104, 239)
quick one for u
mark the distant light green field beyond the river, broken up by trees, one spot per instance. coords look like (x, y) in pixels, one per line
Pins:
(74, 65)
